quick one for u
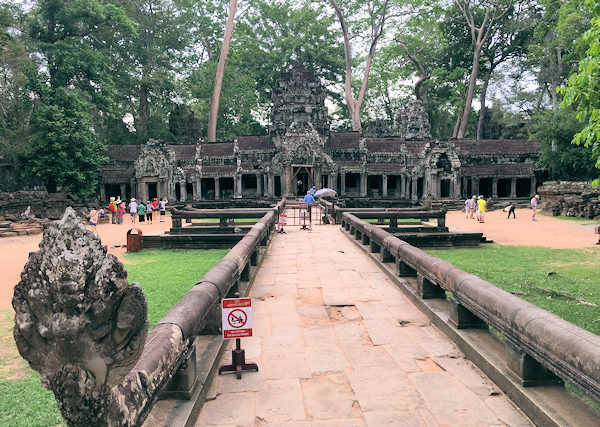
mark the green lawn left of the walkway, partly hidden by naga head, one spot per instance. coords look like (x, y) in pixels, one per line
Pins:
(165, 277)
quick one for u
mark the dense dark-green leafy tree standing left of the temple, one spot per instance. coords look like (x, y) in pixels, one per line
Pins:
(72, 83)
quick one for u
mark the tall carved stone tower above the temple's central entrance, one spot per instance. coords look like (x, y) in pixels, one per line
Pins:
(298, 96)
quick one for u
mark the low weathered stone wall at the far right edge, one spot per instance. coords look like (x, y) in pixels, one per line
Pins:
(576, 199)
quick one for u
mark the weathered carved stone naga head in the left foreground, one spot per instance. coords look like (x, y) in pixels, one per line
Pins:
(77, 320)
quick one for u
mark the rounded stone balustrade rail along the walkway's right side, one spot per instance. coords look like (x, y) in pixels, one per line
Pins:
(542, 348)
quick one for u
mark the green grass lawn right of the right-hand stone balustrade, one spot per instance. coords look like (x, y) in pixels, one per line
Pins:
(563, 281)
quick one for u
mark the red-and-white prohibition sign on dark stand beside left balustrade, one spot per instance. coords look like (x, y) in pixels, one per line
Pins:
(237, 323)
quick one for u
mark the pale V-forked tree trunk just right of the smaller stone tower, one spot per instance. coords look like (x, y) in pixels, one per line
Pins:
(481, 17)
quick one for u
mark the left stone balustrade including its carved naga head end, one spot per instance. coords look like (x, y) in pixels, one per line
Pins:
(95, 359)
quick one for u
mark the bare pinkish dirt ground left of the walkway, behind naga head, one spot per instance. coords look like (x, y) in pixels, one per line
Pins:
(14, 251)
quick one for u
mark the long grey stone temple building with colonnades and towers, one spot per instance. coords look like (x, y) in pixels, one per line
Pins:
(300, 151)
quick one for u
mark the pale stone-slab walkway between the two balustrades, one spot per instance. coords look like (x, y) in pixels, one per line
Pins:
(337, 344)
